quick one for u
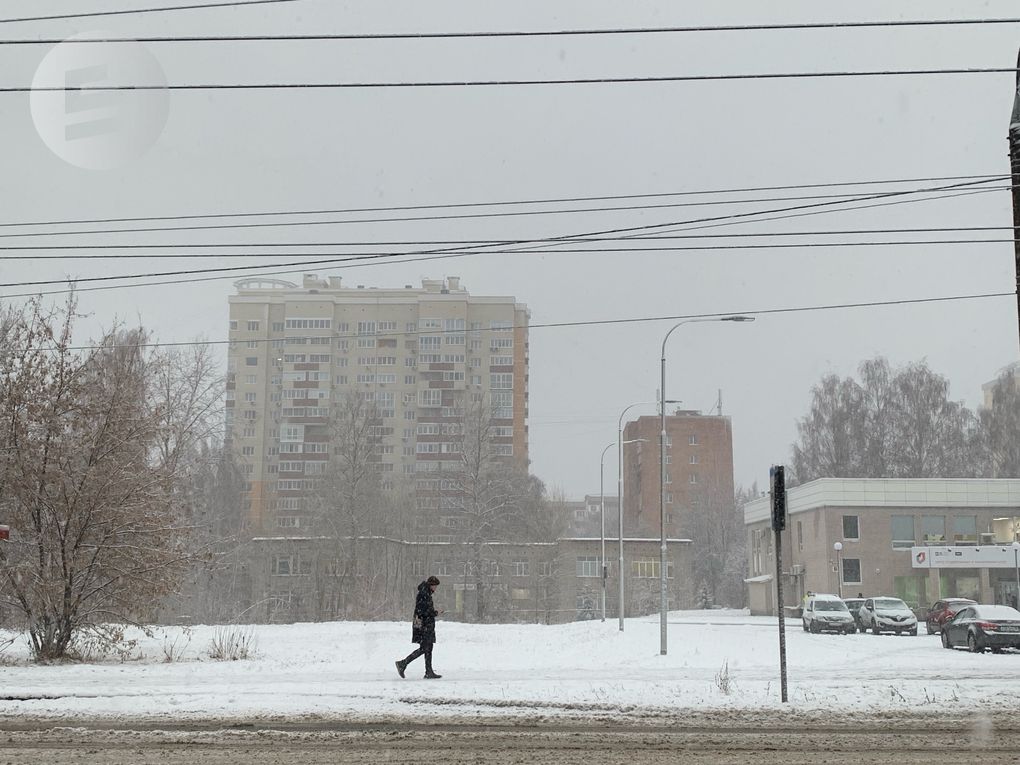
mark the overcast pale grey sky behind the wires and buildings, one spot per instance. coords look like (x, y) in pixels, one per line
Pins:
(246, 151)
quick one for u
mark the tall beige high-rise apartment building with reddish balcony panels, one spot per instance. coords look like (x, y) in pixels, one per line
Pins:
(419, 354)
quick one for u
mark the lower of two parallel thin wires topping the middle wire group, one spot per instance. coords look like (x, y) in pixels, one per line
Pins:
(421, 219)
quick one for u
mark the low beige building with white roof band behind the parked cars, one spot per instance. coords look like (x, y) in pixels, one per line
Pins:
(877, 522)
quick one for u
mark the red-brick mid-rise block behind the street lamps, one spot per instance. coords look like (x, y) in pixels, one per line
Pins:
(699, 476)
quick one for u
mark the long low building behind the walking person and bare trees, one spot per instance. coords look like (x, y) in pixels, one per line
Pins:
(543, 583)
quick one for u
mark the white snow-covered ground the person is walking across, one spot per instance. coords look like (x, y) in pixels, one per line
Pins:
(345, 672)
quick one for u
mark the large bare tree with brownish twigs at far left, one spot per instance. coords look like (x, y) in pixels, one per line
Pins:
(97, 531)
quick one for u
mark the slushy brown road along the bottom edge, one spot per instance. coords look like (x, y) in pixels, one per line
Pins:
(715, 740)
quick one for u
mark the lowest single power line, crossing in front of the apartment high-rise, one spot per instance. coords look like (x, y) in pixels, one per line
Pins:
(605, 323)
